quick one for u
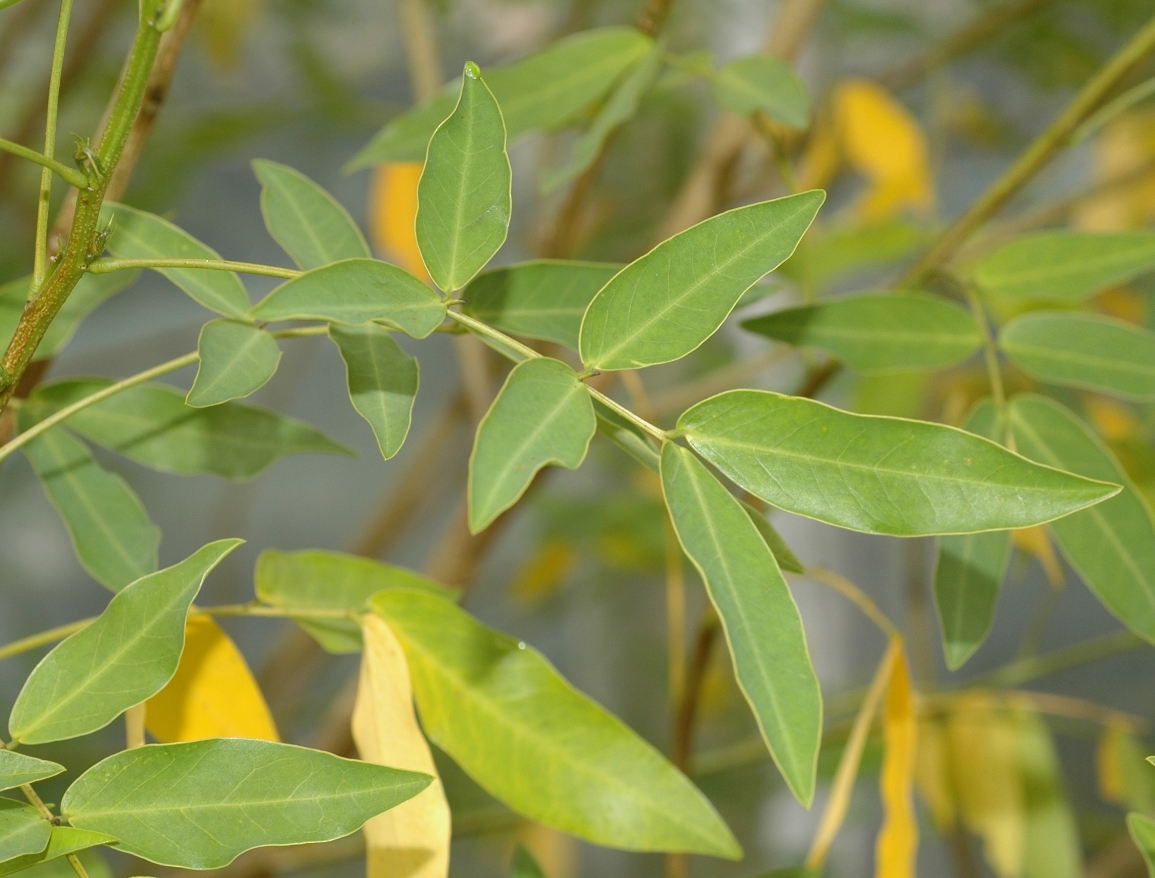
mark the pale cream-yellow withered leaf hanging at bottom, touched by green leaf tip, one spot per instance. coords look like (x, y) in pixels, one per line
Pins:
(413, 839)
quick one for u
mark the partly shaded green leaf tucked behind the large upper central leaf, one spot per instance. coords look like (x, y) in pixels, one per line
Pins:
(546, 299)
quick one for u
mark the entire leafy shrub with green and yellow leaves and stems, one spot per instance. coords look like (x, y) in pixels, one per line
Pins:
(217, 786)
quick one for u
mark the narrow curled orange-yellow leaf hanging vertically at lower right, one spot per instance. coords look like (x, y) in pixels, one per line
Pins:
(898, 840)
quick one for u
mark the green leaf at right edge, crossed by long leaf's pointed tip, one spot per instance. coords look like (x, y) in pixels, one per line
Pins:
(1113, 545)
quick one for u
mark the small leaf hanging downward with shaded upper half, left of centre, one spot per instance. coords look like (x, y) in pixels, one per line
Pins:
(383, 382)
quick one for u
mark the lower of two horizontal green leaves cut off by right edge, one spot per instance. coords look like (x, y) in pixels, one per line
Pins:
(1084, 351)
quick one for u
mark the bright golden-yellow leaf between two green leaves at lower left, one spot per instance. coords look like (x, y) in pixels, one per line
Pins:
(213, 694)
